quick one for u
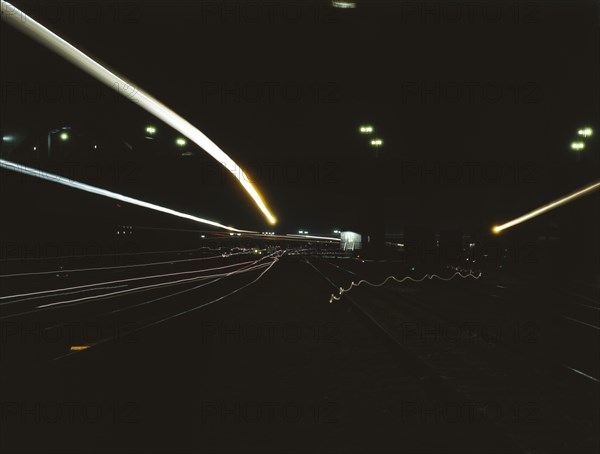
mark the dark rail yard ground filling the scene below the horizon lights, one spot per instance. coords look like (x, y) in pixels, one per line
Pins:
(489, 365)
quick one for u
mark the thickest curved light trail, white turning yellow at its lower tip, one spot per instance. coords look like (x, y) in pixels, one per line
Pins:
(44, 36)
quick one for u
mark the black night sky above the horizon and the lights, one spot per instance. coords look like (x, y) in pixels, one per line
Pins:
(476, 102)
